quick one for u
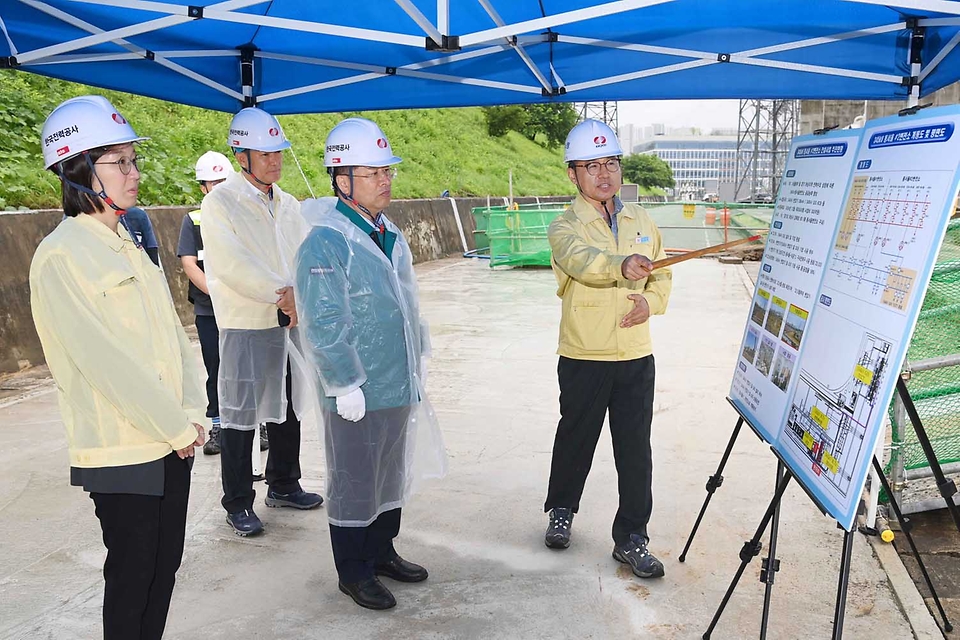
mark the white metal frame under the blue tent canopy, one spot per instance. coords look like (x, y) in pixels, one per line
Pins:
(451, 48)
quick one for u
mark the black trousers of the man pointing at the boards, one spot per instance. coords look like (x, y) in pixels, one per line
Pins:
(588, 390)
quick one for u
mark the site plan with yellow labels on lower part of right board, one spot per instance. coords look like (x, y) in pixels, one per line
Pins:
(828, 426)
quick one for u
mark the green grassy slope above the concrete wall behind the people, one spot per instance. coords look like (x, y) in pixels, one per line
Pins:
(442, 148)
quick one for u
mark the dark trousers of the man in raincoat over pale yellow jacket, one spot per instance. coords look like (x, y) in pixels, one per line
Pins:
(283, 461)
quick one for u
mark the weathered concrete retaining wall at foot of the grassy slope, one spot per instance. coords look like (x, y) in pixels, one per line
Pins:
(430, 227)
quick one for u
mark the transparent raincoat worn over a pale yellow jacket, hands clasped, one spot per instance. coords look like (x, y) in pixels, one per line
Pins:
(249, 240)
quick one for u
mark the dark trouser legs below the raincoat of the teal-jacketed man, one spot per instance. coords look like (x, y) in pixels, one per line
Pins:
(357, 550)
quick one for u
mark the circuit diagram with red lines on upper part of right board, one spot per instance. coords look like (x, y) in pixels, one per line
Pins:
(874, 250)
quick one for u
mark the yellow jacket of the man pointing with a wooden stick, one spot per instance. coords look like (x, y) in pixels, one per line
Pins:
(586, 261)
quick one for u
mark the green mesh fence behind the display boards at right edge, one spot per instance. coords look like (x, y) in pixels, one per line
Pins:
(935, 392)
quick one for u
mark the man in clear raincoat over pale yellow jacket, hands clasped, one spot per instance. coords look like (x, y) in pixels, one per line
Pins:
(248, 222)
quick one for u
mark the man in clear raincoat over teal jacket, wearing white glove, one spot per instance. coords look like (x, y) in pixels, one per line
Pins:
(361, 329)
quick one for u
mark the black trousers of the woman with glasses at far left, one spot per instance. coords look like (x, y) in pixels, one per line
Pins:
(144, 540)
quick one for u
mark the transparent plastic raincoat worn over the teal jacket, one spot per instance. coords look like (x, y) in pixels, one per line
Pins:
(360, 327)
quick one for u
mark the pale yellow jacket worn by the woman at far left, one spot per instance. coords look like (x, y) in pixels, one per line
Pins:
(126, 378)
